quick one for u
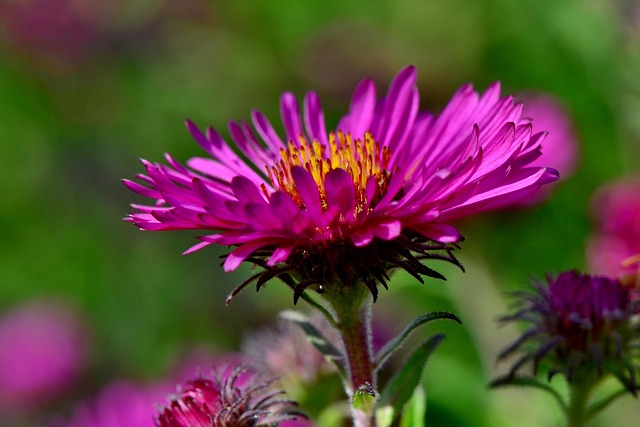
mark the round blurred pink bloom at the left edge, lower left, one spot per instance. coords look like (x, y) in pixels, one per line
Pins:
(43, 349)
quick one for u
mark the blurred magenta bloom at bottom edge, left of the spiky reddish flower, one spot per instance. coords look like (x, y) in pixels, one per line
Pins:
(119, 404)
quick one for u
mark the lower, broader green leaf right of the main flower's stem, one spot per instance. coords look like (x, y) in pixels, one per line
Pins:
(402, 385)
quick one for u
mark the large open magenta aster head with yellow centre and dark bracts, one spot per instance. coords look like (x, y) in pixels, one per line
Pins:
(379, 192)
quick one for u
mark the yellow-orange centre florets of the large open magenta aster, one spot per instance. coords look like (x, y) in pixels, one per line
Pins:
(361, 158)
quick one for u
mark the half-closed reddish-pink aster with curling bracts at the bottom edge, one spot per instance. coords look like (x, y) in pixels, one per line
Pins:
(232, 398)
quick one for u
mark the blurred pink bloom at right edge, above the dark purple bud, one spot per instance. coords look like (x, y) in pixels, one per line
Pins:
(616, 210)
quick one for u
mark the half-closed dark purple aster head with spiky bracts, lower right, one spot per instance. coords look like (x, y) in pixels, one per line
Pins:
(579, 325)
